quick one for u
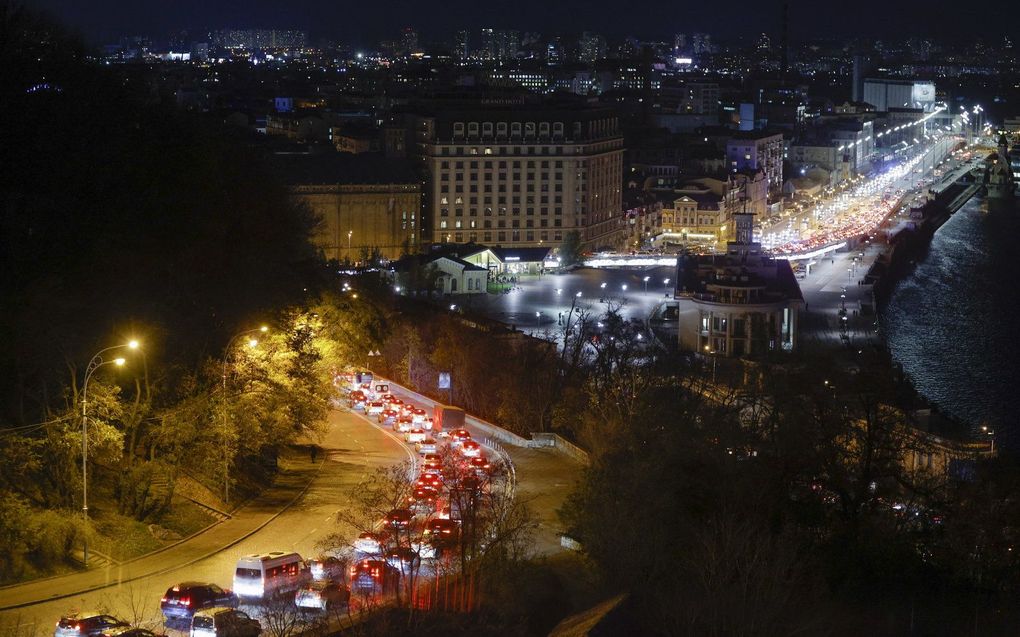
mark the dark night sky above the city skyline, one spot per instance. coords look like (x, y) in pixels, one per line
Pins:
(367, 23)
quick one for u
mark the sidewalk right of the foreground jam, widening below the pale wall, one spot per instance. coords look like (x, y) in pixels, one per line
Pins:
(545, 479)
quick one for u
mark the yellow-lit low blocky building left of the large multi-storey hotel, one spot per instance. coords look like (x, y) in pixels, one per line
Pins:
(366, 203)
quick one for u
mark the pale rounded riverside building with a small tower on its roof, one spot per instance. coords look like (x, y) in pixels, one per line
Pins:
(743, 303)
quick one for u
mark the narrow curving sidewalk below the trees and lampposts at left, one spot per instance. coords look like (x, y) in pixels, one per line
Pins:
(288, 488)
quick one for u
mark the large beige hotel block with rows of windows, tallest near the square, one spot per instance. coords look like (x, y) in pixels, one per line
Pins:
(521, 175)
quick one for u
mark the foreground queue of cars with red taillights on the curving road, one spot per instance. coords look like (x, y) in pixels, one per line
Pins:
(452, 475)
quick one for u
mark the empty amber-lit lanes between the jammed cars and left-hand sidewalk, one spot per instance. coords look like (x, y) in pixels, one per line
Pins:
(351, 451)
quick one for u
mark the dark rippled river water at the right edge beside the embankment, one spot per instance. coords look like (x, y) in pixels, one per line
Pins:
(953, 324)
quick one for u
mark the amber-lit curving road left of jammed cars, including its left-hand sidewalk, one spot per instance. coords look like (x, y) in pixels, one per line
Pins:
(352, 449)
